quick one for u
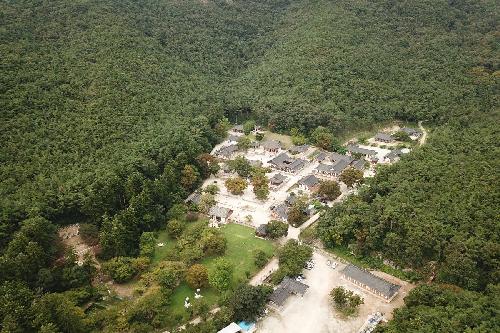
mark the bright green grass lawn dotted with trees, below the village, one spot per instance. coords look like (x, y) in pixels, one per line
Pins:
(241, 242)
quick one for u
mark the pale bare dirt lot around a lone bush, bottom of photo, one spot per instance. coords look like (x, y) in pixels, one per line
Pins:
(314, 313)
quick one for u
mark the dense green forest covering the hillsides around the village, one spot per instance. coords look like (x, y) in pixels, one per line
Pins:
(106, 107)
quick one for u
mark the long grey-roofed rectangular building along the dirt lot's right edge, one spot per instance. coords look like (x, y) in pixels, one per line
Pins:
(372, 283)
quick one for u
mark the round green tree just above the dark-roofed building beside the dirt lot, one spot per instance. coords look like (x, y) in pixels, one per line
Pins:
(292, 257)
